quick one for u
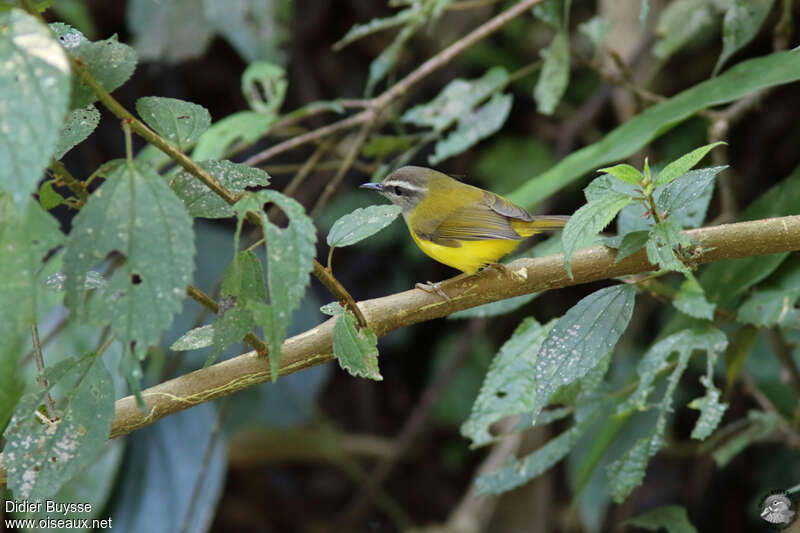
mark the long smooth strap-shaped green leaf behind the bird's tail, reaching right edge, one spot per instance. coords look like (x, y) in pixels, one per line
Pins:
(742, 79)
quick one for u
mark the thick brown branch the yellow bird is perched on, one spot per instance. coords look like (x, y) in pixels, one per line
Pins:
(392, 312)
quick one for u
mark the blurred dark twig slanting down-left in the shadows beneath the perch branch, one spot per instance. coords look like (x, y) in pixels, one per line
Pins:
(415, 423)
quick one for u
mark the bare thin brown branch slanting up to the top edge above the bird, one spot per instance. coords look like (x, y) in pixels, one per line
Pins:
(375, 106)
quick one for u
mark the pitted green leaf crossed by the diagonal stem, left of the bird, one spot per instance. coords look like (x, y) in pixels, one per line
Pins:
(200, 201)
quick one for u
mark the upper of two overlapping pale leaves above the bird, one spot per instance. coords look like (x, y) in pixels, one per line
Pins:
(457, 99)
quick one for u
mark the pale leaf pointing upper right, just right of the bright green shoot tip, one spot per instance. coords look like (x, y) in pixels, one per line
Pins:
(685, 200)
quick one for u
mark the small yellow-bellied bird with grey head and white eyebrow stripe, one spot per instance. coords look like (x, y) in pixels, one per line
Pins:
(462, 226)
